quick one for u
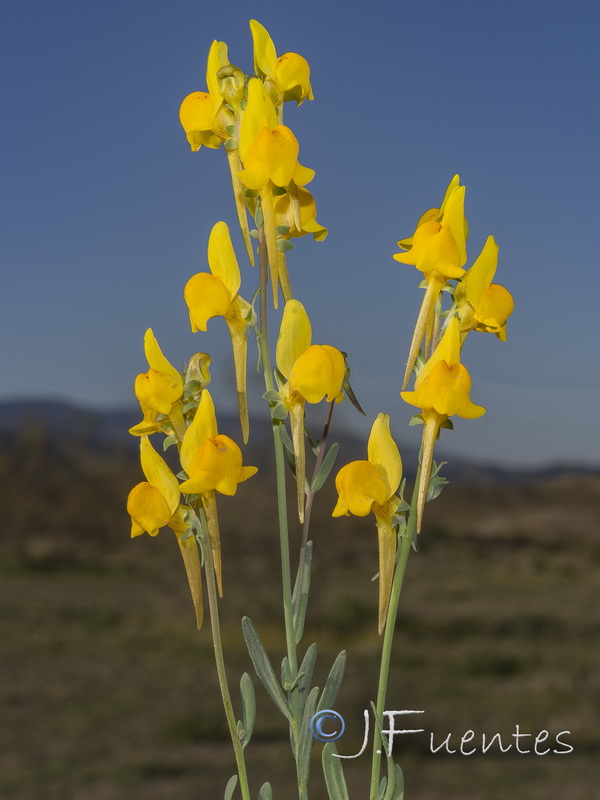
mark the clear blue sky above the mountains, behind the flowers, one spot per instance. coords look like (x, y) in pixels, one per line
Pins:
(105, 212)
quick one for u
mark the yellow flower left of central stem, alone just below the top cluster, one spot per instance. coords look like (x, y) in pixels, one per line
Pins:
(216, 295)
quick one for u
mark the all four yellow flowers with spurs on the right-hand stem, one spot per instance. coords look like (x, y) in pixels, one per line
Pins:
(442, 385)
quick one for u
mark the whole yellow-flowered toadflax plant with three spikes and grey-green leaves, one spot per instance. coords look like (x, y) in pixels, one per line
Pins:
(242, 113)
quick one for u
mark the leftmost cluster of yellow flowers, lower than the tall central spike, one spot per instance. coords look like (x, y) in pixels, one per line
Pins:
(210, 462)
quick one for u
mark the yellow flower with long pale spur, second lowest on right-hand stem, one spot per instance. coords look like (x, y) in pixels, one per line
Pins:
(441, 390)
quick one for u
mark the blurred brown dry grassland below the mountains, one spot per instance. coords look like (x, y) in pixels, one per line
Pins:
(108, 692)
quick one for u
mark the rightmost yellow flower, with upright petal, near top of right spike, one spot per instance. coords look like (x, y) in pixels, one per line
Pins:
(483, 305)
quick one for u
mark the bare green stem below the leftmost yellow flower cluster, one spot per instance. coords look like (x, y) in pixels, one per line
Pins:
(220, 662)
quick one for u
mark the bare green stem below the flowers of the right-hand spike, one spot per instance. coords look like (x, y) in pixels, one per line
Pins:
(388, 638)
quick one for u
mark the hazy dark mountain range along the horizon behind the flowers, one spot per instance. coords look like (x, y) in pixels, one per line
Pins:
(101, 431)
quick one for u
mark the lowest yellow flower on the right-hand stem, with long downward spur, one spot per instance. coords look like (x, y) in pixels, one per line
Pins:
(370, 486)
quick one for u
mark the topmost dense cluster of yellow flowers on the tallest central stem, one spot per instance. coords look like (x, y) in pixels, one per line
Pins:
(244, 112)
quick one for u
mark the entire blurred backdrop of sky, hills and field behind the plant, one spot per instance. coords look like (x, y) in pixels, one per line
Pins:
(107, 690)
